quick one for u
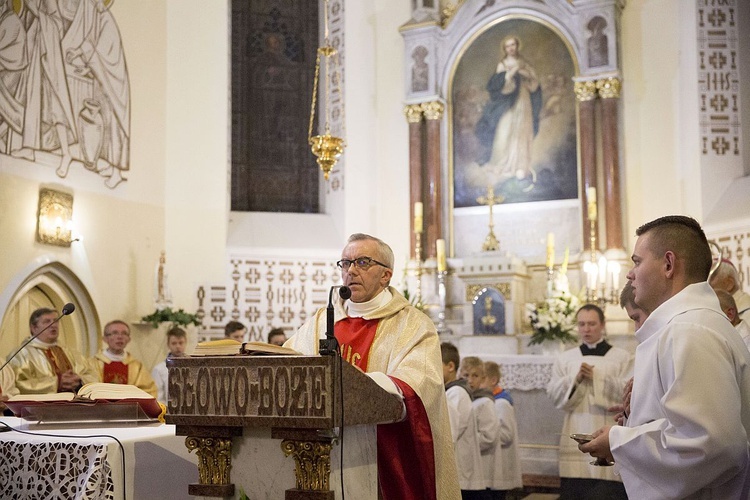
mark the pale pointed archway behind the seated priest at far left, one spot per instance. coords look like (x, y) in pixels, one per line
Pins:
(50, 284)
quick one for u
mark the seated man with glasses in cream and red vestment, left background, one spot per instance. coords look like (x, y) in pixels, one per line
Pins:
(115, 365)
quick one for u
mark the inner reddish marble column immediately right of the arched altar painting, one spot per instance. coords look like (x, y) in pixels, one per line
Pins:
(586, 96)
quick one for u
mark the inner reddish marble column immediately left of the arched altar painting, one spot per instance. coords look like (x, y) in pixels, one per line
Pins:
(433, 112)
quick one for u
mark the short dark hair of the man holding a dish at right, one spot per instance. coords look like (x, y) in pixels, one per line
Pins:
(683, 236)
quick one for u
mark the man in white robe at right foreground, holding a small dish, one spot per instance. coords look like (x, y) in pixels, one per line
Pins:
(686, 436)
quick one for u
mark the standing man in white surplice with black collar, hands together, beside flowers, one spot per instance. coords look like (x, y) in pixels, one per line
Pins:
(585, 382)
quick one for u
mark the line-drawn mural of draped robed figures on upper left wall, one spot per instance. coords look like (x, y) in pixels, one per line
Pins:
(64, 87)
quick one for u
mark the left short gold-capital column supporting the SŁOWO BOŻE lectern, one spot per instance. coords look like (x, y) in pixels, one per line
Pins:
(214, 465)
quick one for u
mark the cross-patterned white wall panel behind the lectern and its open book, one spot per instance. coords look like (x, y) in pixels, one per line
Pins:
(265, 293)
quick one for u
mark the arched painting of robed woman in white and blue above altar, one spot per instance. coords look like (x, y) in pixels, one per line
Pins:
(514, 122)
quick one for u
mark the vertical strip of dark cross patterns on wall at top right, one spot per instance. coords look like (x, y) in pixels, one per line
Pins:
(719, 77)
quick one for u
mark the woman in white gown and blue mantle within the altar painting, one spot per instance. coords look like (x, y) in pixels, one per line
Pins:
(510, 119)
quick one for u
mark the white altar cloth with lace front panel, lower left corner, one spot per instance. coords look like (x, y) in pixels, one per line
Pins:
(87, 462)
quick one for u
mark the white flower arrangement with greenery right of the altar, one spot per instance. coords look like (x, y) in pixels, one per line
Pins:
(553, 318)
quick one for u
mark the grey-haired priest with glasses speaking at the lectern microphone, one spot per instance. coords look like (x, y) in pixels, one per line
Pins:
(397, 345)
